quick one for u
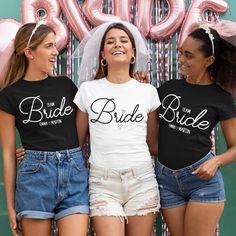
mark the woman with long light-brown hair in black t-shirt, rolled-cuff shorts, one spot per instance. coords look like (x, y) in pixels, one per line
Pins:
(51, 181)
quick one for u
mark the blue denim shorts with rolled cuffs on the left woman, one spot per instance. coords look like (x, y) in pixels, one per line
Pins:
(51, 185)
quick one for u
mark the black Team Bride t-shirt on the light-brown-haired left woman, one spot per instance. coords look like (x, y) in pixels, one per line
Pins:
(44, 112)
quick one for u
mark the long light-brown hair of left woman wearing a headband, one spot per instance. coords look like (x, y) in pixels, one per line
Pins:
(18, 62)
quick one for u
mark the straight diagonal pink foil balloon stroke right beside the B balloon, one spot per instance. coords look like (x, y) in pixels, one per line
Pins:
(73, 15)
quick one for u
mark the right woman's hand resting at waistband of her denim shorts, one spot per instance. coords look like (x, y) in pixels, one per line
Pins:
(207, 169)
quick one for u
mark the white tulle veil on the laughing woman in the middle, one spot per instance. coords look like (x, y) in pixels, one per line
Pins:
(88, 51)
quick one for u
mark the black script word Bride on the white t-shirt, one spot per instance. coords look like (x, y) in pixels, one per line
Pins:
(105, 108)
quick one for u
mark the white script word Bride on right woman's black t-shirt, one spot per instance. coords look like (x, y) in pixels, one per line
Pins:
(171, 103)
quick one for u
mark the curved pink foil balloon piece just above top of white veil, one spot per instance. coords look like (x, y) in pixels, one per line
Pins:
(93, 11)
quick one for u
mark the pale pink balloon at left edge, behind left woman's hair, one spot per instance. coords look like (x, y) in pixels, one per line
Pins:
(8, 29)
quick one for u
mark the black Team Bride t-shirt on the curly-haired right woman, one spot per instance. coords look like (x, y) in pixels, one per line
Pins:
(188, 115)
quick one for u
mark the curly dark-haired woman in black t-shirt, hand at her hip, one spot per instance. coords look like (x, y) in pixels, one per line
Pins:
(190, 182)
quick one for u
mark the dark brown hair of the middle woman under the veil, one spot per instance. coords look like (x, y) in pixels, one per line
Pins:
(103, 71)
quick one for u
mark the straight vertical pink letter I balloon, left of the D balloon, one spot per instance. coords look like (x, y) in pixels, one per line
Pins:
(143, 20)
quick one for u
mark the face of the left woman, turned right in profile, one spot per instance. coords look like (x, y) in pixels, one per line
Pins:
(44, 56)
